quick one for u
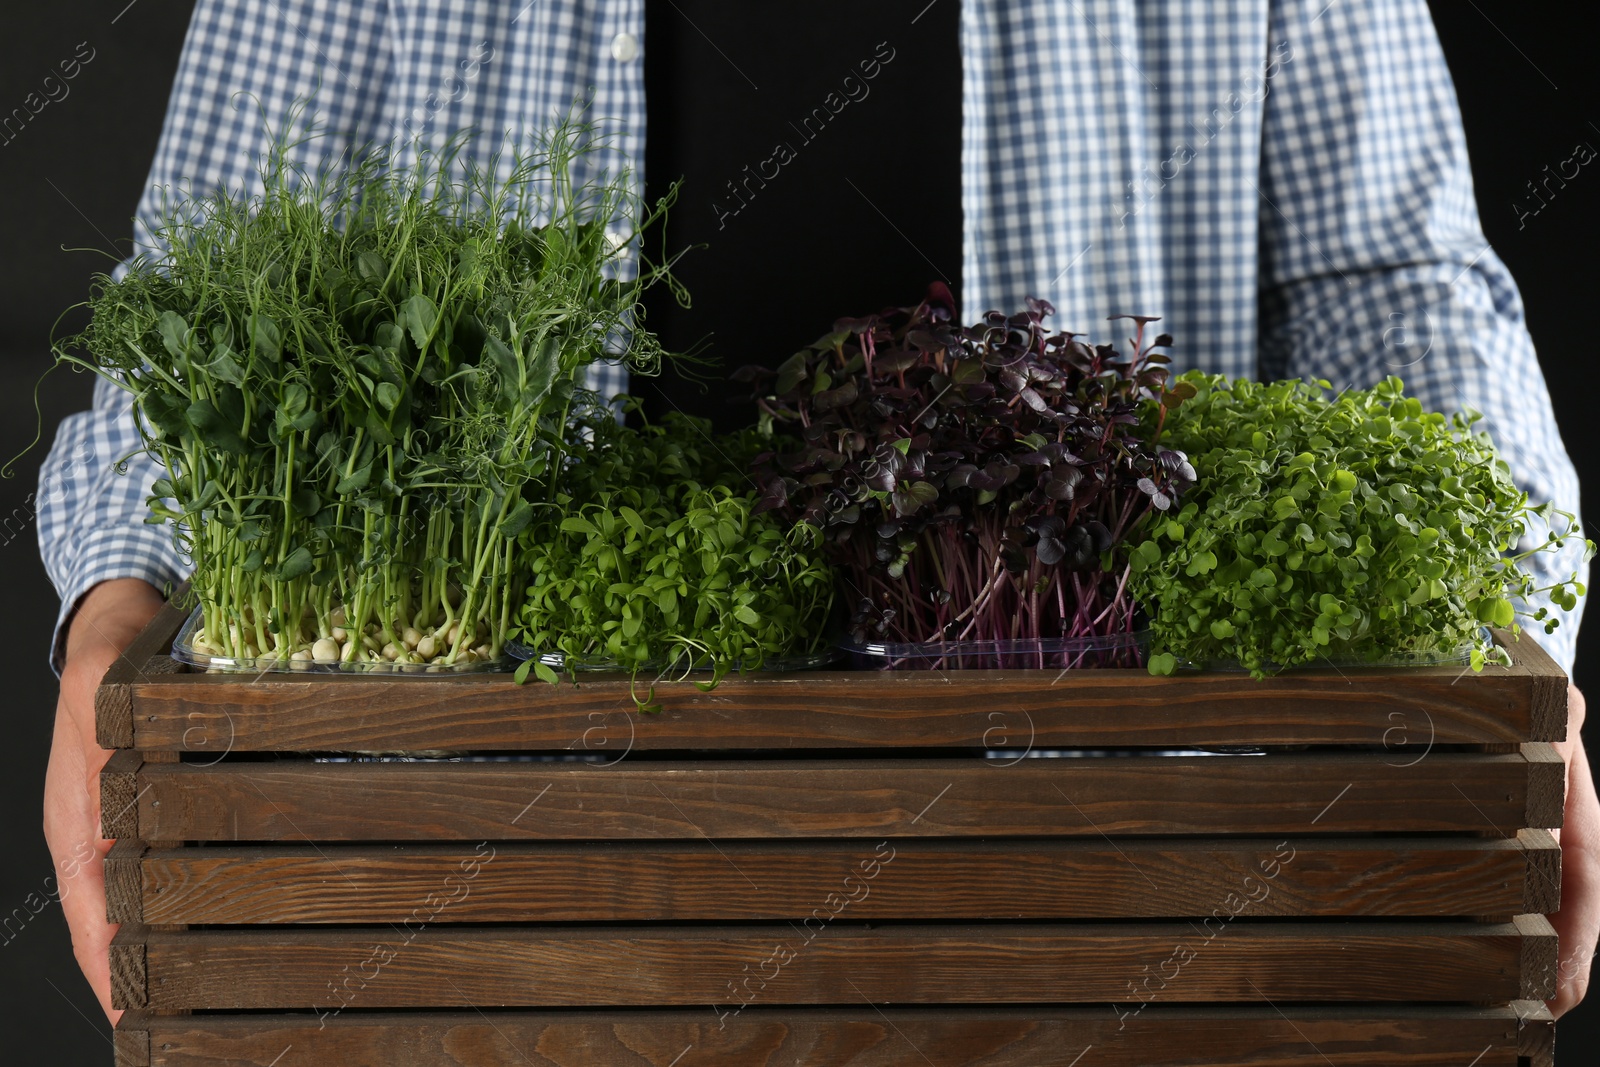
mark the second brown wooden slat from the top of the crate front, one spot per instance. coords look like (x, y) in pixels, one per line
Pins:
(1326, 793)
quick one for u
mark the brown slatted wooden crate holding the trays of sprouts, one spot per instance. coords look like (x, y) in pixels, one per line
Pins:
(823, 869)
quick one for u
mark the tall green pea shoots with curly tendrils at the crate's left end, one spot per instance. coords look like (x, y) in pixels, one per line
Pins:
(359, 385)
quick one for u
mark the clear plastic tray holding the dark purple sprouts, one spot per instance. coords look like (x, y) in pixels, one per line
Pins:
(1049, 653)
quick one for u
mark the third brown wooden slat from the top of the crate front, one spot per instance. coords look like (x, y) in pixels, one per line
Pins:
(769, 881)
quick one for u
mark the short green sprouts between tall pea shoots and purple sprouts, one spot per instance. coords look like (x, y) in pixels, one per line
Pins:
(657, 561)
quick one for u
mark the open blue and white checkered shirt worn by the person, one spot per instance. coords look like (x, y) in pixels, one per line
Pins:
(1284, 182)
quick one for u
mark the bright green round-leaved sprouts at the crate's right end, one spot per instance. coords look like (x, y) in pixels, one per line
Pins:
(1356, 527)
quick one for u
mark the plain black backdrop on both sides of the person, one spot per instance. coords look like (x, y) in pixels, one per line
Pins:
(71, 178)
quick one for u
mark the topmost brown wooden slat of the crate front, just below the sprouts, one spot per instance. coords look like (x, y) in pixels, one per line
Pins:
(1039, 709)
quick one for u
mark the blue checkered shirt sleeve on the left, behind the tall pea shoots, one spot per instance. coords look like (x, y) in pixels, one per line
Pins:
(242, 63)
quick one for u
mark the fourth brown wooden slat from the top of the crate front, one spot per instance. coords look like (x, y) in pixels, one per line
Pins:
(562, 965)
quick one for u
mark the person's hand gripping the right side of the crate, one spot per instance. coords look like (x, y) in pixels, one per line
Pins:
(1578, 922)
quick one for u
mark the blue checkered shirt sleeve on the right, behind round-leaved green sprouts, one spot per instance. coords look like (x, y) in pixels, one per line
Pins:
(1374, 260)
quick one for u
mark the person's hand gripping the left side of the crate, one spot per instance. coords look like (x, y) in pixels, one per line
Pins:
(108, 620)
